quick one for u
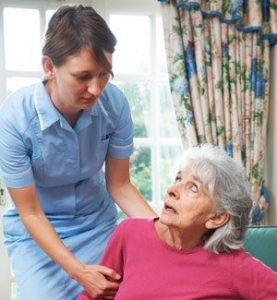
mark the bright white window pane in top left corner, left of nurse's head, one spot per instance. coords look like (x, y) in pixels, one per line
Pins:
(22, 39)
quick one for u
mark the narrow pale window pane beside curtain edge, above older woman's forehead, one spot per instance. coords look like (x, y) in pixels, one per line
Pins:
(168, 121)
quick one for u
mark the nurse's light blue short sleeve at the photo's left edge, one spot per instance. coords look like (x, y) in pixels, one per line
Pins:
(15, 165)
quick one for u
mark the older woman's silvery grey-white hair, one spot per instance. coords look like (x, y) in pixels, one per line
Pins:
(225, 182)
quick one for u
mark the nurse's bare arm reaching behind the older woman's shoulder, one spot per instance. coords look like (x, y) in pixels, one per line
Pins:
(122, 190)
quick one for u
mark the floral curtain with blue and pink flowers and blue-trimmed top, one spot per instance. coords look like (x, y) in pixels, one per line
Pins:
(218, 54)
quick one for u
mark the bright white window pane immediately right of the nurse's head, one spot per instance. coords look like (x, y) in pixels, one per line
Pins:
(132, 53)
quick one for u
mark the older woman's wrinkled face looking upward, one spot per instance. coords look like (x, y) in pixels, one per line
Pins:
(187, 203)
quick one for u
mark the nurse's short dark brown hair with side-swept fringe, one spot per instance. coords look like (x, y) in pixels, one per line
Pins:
(73, 28)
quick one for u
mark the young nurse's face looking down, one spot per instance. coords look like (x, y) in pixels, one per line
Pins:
(79, 82)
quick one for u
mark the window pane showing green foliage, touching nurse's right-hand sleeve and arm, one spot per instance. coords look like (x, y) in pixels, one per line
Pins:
(141, 171)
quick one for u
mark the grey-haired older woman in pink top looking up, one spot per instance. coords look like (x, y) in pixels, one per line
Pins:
(194, 250)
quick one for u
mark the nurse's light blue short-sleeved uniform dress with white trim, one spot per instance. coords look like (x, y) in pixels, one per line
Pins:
(39, 147)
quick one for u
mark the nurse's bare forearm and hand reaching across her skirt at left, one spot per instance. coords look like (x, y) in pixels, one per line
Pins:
(91, 277)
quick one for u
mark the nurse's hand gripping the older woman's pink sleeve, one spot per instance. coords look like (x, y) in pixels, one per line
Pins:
(99, 281)
